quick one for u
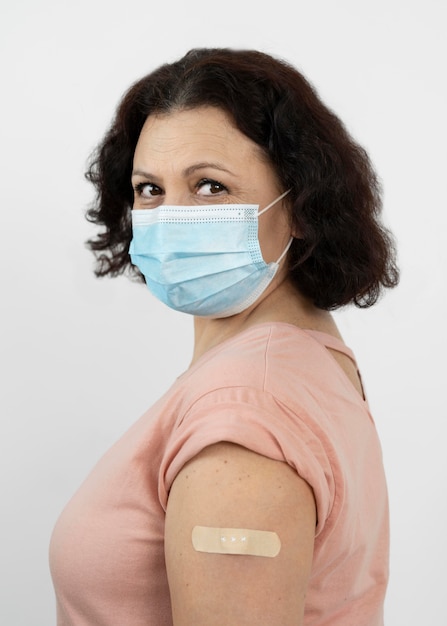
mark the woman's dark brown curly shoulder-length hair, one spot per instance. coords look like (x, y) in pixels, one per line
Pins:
(345, 254)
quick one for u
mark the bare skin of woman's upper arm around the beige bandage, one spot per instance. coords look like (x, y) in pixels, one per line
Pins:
(229, 486)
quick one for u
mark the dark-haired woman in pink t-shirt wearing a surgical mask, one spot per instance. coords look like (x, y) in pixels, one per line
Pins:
(253, 491)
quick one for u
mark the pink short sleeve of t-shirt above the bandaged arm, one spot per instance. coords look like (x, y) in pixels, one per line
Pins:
(257, 421)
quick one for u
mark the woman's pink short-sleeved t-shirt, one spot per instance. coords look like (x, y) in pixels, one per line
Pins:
(278, 391)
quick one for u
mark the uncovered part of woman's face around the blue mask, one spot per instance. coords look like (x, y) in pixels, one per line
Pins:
(198, 156)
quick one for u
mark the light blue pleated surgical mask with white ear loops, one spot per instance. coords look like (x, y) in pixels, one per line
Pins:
(203, 260)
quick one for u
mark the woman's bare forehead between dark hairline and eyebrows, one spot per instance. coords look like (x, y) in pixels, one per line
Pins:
(204, 132)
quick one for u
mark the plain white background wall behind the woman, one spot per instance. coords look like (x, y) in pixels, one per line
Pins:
(82, 358)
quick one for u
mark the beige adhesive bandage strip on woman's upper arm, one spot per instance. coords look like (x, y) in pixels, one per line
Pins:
(235, 541)
